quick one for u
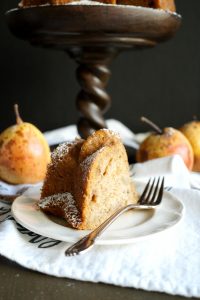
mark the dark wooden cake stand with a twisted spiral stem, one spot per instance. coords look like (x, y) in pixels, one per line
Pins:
(92, 35)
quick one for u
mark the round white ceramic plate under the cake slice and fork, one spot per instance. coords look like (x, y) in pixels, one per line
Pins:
(128, 228)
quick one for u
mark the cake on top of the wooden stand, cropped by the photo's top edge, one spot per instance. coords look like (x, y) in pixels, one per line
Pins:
(162, 4)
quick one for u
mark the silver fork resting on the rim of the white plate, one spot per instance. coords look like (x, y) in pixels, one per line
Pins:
(150, 199)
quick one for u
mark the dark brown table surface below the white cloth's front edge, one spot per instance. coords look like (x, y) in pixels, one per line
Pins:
(17, 282)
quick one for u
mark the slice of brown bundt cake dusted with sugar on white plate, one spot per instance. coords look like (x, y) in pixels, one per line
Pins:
(88, 180)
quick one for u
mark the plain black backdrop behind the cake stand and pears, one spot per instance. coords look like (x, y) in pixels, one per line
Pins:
(162, 83)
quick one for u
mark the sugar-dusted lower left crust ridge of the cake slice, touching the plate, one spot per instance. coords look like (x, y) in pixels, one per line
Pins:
(64, 202)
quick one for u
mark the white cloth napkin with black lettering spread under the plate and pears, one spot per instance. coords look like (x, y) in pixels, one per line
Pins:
(168, 262)
